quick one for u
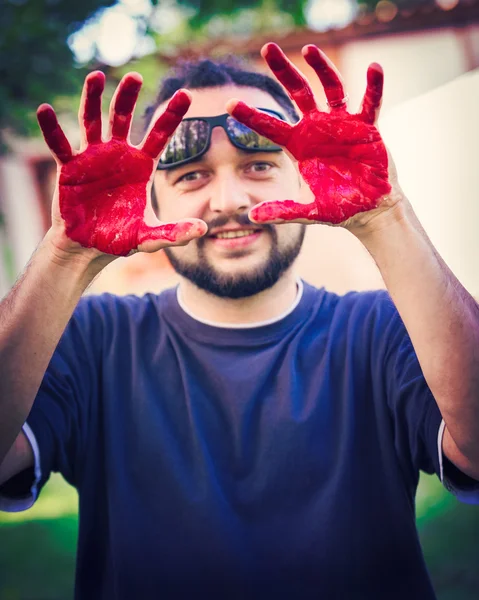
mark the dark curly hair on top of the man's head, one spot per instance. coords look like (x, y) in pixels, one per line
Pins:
(204, 73)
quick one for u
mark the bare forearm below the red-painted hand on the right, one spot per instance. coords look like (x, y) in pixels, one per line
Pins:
(440, 316)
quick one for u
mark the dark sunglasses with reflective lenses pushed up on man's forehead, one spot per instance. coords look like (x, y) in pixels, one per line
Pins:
(192, 138)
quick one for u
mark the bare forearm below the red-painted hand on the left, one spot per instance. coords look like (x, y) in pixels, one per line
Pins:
(32, 319)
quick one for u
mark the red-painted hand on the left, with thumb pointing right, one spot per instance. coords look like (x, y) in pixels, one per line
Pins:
(103, 189)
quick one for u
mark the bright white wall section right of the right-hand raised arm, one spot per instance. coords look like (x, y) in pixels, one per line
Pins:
(434, 140)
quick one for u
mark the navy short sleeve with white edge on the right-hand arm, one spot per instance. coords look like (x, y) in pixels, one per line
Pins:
(417, 420)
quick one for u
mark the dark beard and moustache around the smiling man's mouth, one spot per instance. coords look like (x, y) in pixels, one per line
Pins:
(204, 275)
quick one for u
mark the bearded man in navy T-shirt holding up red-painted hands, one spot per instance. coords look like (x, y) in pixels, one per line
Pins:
(247, 435)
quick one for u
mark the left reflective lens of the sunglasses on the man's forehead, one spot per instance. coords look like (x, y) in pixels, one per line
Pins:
(188, 141)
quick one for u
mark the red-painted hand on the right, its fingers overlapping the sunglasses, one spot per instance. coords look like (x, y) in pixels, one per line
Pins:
(341, 156)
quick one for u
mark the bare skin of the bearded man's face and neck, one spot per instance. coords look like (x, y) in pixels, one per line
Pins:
(224, 183)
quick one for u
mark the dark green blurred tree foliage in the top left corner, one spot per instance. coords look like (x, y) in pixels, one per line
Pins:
(36, 63)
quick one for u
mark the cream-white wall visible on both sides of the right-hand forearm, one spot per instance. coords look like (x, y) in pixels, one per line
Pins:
(434, 143)
